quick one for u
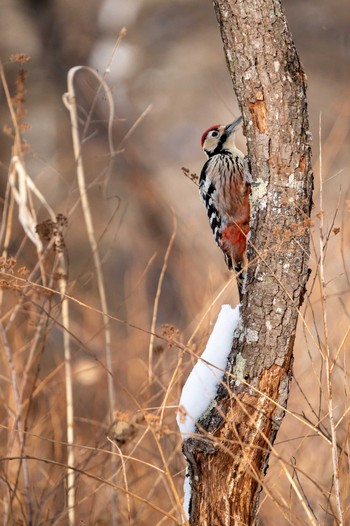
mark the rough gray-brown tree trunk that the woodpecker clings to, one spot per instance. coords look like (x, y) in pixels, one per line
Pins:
(226, 467)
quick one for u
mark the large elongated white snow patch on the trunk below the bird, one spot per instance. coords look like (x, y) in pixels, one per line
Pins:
(201, 385)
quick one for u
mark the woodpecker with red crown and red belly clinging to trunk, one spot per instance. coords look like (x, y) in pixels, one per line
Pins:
(225, 194)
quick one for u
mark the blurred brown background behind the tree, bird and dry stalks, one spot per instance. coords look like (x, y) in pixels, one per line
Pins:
(171, 59)
